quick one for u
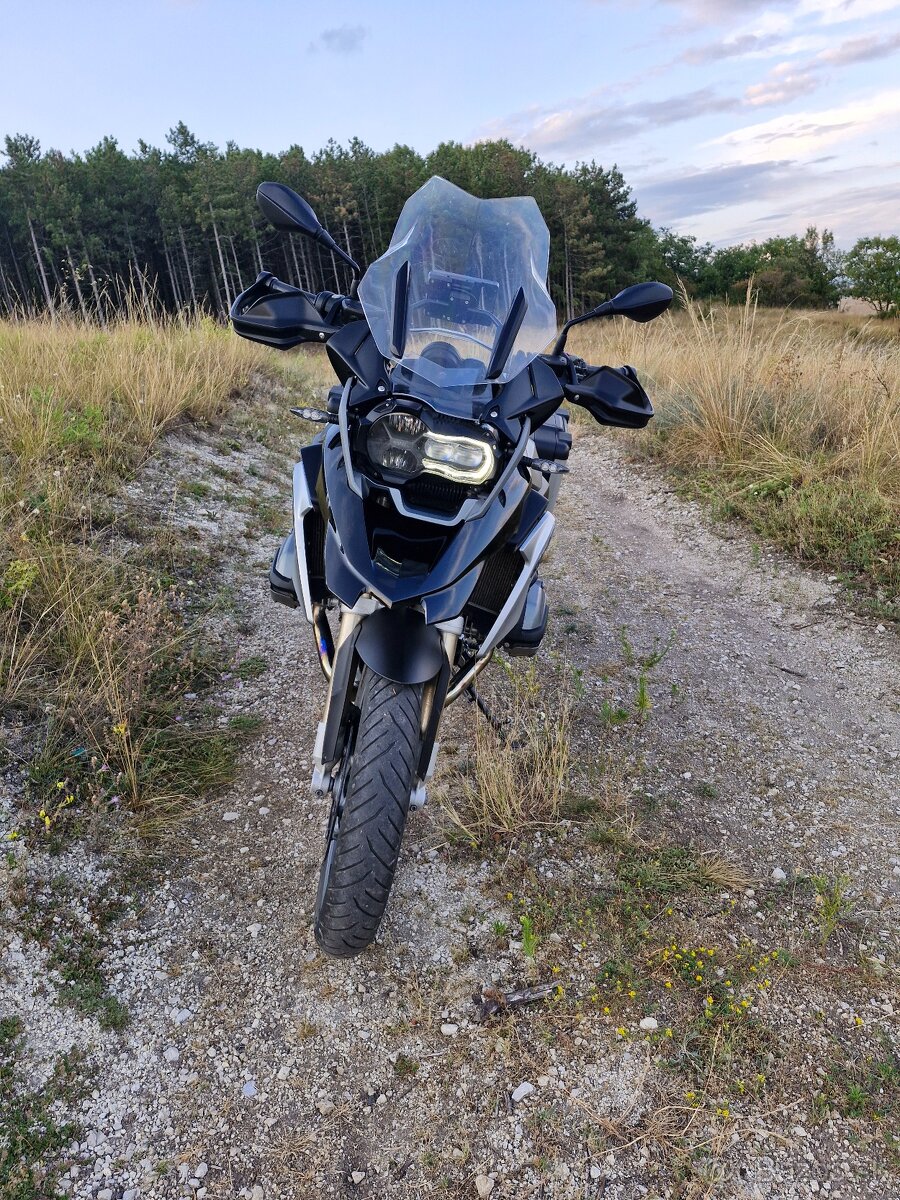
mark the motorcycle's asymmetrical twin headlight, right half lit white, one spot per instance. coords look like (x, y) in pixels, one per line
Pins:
(404, 443)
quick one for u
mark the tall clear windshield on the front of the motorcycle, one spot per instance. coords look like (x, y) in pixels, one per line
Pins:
(460, 296)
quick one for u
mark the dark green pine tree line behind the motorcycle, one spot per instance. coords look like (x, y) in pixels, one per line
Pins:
(179, 229)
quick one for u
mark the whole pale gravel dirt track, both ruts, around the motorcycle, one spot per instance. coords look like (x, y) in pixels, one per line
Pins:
(253, 1067)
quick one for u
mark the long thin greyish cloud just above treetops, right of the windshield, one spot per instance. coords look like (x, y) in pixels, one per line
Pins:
(591, 123)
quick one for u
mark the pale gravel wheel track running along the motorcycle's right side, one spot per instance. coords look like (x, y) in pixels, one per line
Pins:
(776, 727)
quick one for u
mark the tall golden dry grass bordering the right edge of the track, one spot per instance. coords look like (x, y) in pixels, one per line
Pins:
(791, 421)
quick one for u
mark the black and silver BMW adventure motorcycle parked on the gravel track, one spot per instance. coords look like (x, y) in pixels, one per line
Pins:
(423, 511)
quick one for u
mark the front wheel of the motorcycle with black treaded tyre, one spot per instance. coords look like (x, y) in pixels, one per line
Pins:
(369, 813)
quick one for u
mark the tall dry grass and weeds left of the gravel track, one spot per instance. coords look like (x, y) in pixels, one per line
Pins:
(92, 651)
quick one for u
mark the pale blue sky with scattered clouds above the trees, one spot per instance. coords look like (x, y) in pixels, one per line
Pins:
(733, 121)
